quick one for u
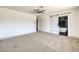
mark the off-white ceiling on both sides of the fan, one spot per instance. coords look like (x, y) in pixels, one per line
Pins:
(49, 9)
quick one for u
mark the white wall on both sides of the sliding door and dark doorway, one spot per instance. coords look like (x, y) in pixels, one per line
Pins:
(73, 23)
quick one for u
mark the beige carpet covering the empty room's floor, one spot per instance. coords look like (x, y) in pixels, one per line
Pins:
(39, 42)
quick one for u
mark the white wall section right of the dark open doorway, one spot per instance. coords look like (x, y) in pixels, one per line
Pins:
(74, 23)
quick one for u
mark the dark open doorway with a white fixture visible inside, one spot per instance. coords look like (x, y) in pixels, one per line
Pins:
(63, 25)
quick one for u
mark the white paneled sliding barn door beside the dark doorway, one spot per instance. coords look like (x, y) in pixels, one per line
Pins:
(54, 25)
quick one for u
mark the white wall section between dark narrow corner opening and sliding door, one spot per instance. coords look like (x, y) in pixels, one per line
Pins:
(44, 23)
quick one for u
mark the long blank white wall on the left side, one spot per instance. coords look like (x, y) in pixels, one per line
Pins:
(13, 23)
